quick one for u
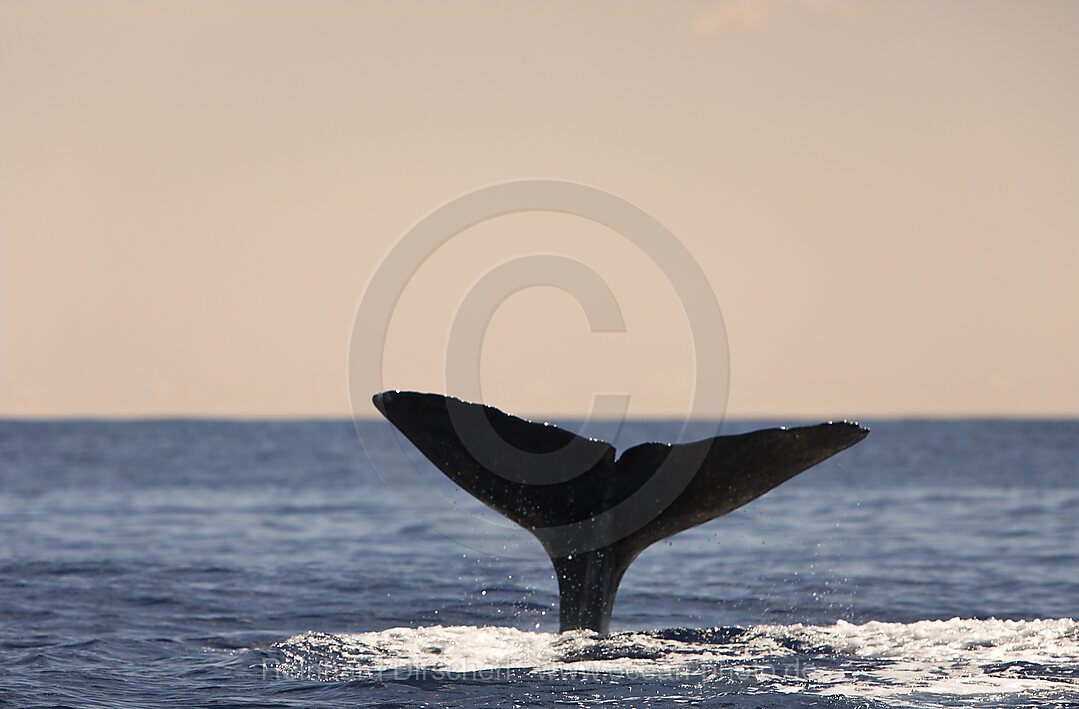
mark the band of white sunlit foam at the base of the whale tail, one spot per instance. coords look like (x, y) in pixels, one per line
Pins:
(916, 664)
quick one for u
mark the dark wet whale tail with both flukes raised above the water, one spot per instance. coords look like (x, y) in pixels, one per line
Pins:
(594, 514)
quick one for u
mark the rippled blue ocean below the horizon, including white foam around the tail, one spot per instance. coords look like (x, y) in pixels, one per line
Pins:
(221, 564)
